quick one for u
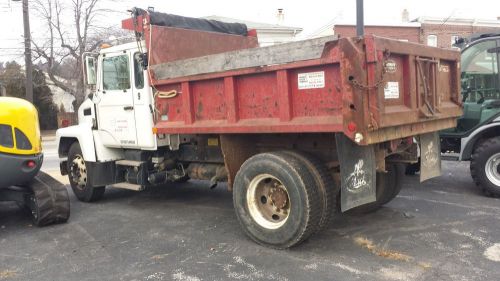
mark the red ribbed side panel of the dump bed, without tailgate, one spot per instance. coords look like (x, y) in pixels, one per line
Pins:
(261, 102)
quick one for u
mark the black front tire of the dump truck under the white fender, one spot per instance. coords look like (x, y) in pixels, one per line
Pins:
(88, 193)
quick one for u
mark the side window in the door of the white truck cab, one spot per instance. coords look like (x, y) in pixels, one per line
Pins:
(116, 74)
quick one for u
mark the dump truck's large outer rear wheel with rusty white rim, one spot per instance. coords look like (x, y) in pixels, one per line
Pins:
(276, 200)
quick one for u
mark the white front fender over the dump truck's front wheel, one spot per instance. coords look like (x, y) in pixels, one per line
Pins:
(81, 133)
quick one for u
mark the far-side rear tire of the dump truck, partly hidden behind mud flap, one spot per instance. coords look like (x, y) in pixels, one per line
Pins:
(388, 187)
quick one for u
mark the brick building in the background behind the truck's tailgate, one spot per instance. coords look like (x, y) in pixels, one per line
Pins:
(424, 30)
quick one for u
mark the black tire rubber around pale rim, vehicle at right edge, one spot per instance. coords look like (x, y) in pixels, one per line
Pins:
(480, 156)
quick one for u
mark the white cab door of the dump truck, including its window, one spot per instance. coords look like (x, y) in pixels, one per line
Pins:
(115, 101)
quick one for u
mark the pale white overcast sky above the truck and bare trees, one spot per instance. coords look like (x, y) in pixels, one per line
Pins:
(308, 14)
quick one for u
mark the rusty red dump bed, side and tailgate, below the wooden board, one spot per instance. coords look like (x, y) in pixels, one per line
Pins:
(371, 89)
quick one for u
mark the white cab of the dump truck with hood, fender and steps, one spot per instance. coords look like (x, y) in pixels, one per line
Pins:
(117, 118)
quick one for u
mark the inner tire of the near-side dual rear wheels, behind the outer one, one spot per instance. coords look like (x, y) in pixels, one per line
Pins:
(324, 181)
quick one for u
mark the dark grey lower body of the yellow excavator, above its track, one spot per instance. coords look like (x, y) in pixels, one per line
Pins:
(14, 171)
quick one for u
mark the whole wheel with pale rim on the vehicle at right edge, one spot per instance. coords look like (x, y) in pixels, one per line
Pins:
(485, 166)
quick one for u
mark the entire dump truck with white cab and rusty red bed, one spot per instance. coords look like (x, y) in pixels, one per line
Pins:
(299, 131)
